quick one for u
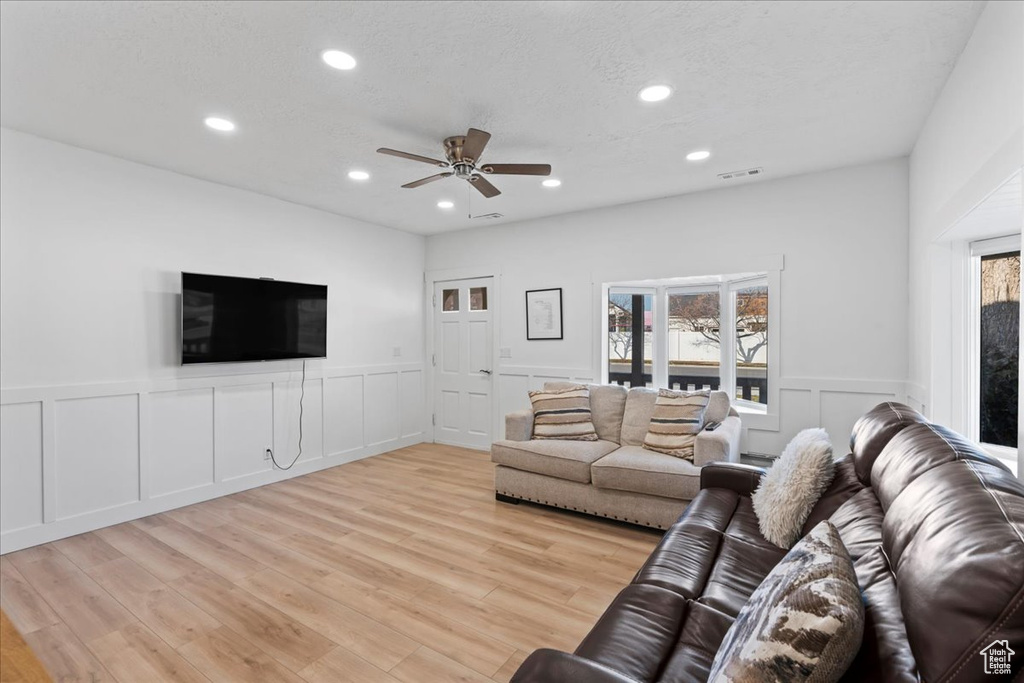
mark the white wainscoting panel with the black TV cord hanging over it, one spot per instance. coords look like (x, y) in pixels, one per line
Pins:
(286, 421)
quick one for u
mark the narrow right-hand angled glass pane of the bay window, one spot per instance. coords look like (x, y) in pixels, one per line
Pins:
(752, 344)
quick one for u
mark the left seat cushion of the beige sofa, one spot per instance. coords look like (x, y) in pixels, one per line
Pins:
(562, 459)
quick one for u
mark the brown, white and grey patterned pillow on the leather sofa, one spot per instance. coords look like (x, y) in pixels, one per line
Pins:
(804, 623)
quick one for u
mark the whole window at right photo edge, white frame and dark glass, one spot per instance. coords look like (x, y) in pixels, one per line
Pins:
(995, 344)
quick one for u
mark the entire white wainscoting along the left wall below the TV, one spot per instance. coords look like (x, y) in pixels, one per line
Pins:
(77, 458)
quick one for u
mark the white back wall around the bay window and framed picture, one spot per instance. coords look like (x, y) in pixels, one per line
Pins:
(843, 236)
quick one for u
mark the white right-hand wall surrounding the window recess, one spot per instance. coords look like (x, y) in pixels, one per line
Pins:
(971, 144)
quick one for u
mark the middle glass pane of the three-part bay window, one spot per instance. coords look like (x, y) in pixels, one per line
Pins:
(695, 347)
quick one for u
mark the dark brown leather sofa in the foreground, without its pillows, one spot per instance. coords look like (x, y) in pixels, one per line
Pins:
(935, 528)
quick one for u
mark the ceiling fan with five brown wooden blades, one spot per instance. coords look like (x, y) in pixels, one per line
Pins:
(463, 155)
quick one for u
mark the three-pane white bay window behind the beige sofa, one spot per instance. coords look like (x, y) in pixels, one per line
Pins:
(707, 333)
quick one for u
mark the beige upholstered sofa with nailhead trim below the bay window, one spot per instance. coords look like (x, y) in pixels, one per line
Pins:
(615, 477)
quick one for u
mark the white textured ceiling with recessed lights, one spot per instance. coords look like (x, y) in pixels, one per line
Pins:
(790, 87)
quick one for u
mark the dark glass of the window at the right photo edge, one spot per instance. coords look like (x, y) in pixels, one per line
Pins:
(1000, 349)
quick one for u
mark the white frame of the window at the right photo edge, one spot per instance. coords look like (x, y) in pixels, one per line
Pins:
(977, 250)
